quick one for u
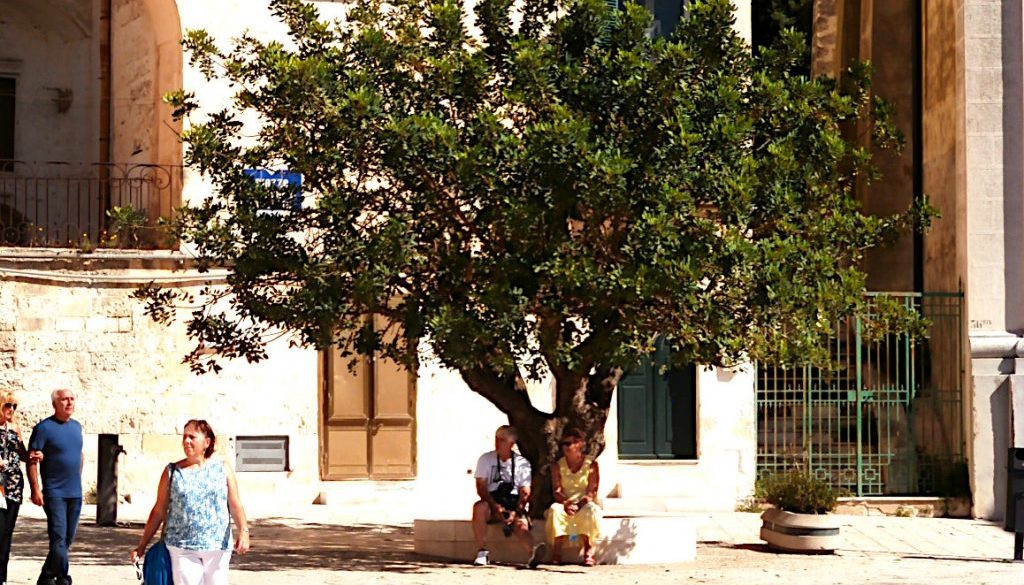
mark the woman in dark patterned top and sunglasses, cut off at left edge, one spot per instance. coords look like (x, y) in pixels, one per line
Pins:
(12, 454)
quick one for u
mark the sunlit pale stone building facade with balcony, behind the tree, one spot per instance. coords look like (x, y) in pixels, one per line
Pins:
(68, 319)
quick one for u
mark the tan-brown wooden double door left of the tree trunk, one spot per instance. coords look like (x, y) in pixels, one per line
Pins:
(369, 421)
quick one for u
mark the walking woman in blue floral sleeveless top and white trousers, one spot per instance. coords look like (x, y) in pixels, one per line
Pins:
(194, 500)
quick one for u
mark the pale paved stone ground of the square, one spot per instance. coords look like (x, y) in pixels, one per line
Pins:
(320, 546)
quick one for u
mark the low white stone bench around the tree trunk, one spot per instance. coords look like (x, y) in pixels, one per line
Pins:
(625, 540)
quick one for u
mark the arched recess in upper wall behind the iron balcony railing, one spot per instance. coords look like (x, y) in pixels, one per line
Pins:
(89, 154)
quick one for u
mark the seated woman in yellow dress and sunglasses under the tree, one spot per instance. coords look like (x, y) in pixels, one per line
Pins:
(575, 479)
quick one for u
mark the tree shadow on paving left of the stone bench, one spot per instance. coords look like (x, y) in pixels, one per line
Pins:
(277, 546)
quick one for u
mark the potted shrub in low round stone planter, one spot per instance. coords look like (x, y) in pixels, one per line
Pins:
(800, 521)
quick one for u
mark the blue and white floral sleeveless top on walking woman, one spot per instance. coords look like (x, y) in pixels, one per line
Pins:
(197, 514)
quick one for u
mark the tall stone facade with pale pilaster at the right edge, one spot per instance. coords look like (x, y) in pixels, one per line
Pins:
(954, 69)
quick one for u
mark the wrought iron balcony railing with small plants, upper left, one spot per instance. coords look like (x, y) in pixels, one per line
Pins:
(87, 205)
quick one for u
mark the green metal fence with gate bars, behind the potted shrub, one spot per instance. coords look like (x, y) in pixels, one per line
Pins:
(886, 421)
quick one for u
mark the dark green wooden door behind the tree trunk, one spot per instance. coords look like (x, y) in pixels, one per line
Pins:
(658, 411)
